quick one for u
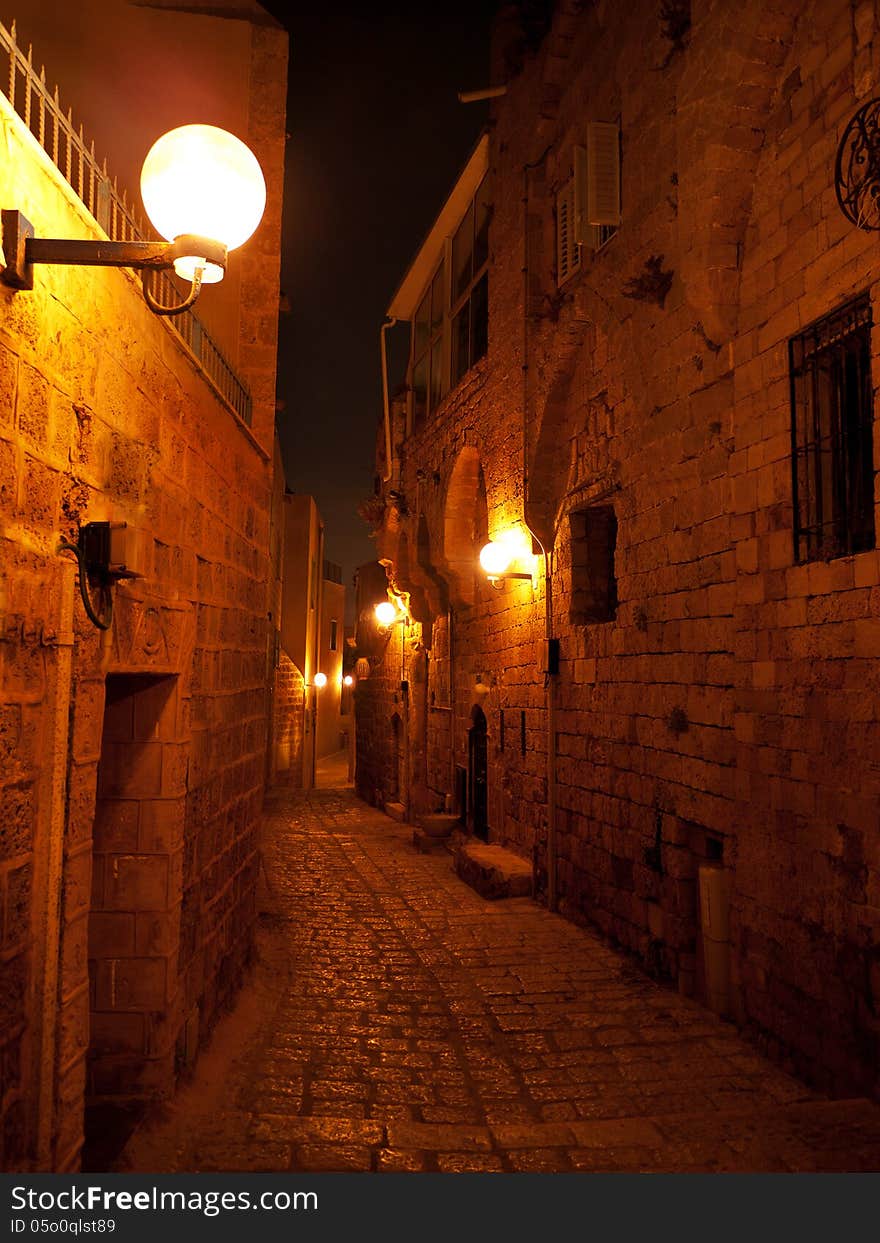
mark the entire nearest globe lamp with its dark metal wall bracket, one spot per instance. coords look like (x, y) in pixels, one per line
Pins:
(203, 191)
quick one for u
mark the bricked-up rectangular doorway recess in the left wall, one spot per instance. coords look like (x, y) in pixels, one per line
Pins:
(137, 876)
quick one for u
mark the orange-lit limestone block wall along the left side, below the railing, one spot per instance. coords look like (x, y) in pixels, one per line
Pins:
(145, 843)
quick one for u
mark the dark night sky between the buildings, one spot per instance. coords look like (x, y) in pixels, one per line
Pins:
(378, 139)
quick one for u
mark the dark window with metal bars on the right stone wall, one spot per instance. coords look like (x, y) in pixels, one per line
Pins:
(832, 436)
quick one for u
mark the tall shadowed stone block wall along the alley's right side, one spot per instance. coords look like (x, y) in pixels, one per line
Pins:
(715, 736)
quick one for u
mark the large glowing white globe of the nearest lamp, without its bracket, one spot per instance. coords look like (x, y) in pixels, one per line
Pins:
(202, 182)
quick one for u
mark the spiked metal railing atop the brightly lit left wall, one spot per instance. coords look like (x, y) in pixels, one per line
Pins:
(75, 157)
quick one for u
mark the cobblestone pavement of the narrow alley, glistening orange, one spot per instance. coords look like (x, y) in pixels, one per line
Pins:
(397, 1021)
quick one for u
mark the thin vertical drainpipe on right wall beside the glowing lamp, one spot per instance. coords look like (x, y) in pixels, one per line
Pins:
(550, 678)
